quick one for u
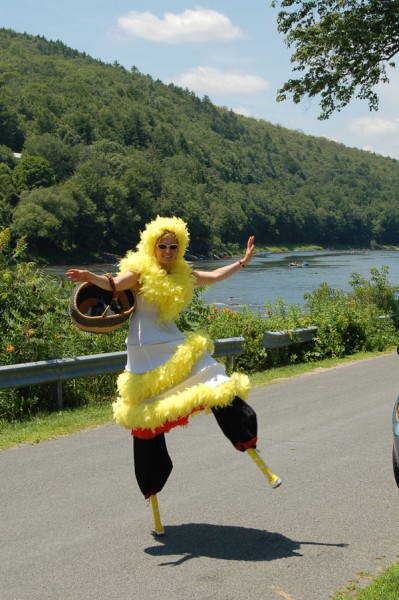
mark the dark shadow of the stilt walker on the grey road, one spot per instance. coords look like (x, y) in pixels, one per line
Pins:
(193, 540)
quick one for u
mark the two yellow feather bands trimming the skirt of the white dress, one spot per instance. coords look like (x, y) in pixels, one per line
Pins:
(133, 412)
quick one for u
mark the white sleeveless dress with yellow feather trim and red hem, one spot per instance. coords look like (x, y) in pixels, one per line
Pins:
(169, 375)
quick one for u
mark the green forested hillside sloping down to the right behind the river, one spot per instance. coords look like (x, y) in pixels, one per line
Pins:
(105, 149)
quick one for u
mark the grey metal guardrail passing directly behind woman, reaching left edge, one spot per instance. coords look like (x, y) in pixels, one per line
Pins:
(57, 370)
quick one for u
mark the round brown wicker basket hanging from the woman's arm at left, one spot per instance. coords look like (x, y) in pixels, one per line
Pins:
(100, 311)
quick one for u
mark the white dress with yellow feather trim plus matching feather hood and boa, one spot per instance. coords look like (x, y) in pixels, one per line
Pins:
(169, 375)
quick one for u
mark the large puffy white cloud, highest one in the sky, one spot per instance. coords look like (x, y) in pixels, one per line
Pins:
(192, 25)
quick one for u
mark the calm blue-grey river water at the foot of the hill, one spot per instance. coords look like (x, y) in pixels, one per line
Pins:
(270, 277)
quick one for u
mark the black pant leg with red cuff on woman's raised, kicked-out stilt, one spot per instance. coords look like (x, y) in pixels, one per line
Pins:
(239, 424)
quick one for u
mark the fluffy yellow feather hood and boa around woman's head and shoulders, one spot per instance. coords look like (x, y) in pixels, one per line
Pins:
(170, 292)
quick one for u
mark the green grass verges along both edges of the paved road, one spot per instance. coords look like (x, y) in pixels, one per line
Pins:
(384, 586)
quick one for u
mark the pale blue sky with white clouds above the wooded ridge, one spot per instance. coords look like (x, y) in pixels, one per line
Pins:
(228, 50)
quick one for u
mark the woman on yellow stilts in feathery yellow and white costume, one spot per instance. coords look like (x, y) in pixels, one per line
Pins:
(170, 375)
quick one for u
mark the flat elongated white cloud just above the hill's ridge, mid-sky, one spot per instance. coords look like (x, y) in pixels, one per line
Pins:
(211, 80)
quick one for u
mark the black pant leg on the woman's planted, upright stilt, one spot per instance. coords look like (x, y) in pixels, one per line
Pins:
(152, 464)
